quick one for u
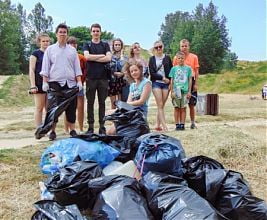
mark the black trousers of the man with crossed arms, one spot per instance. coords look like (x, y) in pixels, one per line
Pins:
(101, 87)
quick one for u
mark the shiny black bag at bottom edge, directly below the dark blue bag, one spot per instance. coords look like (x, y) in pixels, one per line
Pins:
(169, 198)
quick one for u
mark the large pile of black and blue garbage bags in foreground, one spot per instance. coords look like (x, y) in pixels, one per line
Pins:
(139, 177)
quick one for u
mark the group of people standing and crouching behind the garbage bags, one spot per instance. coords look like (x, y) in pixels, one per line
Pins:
(108, 72)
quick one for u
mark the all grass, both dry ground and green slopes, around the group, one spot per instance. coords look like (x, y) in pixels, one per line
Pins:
(236, 137)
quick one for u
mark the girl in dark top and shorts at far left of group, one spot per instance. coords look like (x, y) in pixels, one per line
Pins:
(35, 67)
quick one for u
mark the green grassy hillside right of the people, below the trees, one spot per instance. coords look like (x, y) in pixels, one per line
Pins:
(246, 78)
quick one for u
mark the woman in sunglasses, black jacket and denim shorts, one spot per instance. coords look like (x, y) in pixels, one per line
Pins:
(159, 67)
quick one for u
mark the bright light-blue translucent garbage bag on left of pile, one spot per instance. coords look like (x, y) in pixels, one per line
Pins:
(64, 152)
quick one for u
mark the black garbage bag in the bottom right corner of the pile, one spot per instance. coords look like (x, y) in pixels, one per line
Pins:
(235, 200)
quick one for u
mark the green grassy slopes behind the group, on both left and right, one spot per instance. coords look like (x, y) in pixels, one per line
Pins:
(246, 78)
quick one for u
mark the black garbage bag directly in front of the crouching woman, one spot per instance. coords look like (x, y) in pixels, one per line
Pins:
(128, 120)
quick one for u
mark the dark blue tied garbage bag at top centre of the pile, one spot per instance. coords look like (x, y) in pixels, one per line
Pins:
(159, 153)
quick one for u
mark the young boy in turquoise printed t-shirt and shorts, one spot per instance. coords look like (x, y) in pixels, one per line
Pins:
(181, 82)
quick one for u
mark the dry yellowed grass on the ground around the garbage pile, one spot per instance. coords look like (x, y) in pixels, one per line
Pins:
(236, 138)
